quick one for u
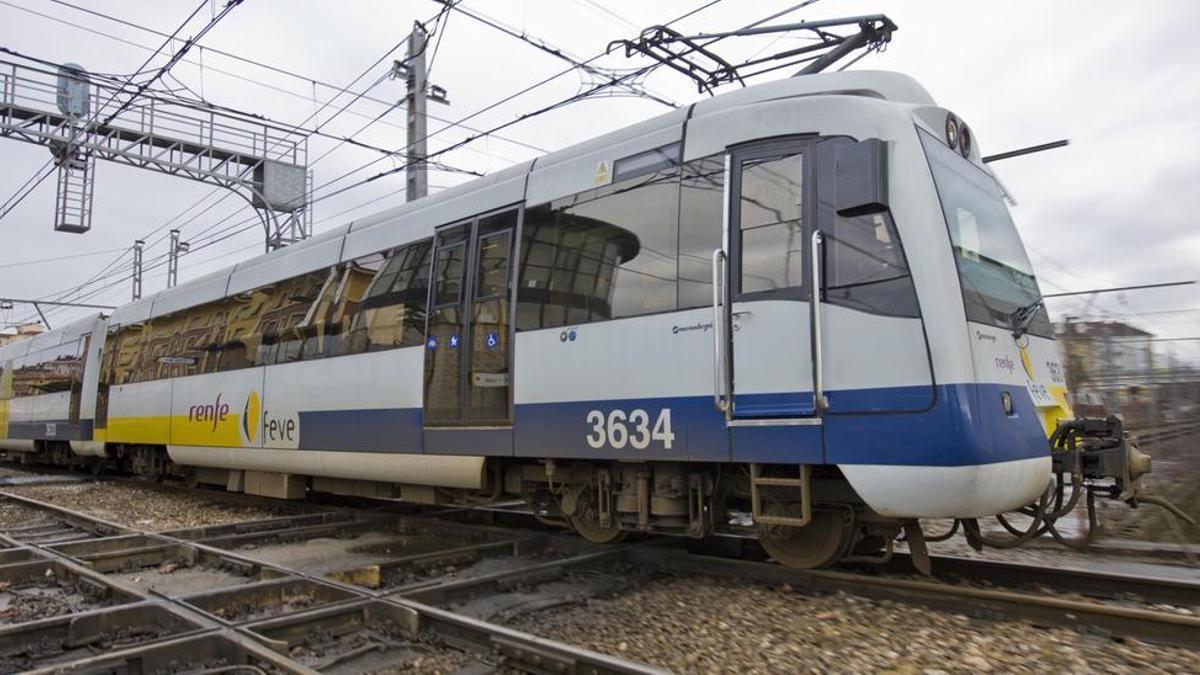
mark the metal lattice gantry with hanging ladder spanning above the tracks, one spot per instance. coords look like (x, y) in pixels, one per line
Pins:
(262, 162)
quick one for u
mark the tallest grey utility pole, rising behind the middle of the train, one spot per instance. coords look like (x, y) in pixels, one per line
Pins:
(419, 92)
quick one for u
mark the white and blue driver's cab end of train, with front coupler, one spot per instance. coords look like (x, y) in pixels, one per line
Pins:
(923, 381)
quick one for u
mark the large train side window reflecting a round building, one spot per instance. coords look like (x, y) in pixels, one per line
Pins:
(603, 254)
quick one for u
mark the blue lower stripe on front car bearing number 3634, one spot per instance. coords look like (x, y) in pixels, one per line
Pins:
(965, 426)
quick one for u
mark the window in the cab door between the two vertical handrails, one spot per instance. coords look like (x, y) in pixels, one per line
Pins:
(772, 224)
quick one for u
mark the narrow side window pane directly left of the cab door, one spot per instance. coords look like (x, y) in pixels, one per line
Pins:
(701, 223)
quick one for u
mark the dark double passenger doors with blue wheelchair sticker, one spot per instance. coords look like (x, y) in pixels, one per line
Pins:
(469, 381)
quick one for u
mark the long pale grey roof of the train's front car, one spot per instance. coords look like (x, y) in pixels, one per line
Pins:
(549, 177)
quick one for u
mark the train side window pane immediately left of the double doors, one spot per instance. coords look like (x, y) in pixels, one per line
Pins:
(388, 296)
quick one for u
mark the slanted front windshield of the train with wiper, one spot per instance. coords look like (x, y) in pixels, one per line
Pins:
(993, 267)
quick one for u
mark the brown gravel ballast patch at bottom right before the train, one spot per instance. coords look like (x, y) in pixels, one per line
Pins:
(722, 626)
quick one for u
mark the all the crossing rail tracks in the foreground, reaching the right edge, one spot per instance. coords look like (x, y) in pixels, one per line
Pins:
(391, 588)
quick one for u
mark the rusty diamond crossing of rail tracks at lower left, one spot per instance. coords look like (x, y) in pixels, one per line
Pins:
(265, 616)
